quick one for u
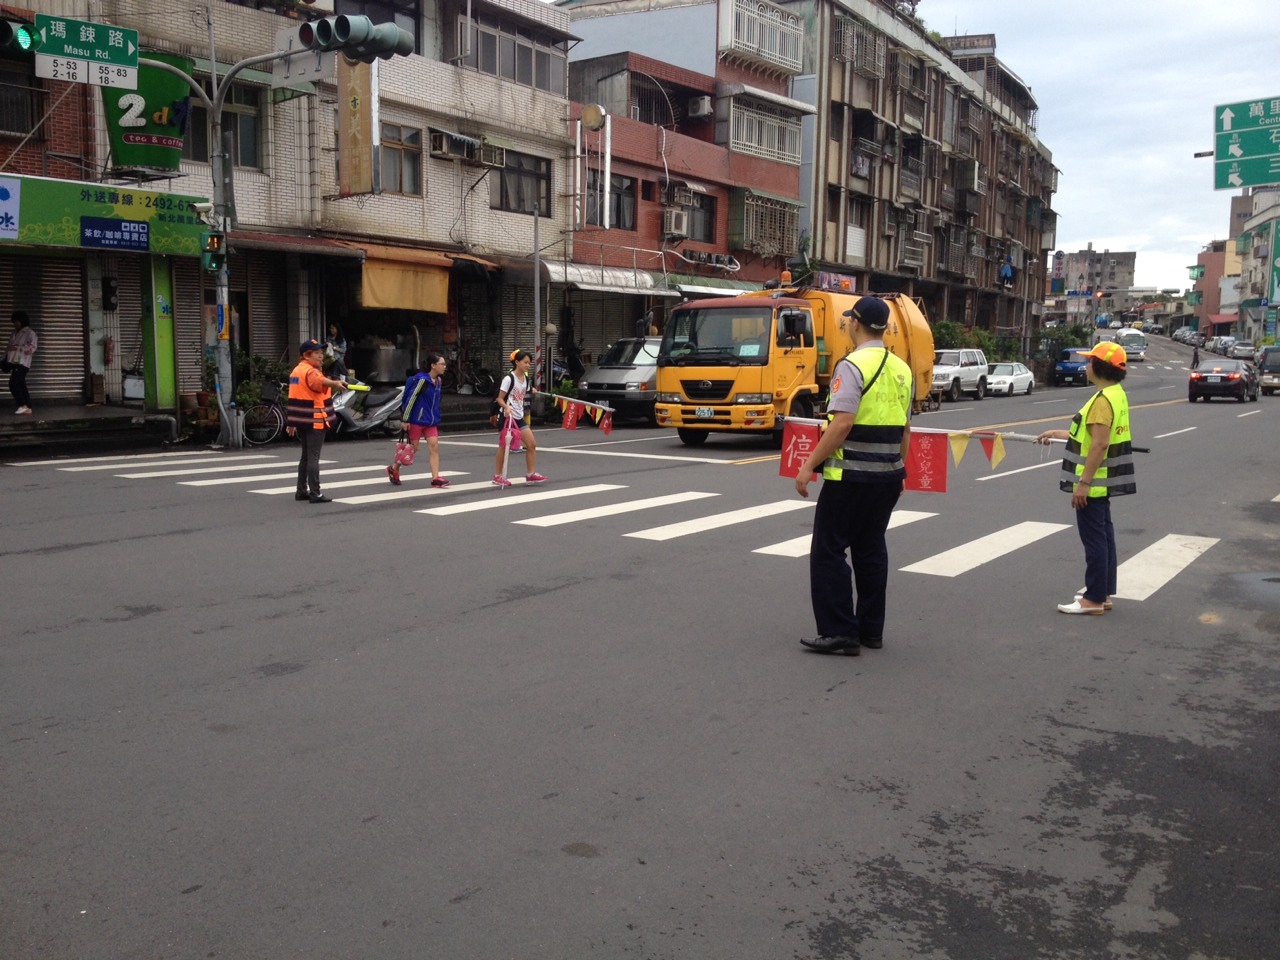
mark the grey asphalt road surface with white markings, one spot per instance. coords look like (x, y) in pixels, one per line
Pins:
(241, 726)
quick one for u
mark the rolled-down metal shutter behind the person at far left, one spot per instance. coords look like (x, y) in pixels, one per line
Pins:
(53, 295)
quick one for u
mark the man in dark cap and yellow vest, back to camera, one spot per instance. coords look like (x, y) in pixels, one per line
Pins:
(862, 456)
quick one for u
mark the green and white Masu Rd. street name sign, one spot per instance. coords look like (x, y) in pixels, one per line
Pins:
(79, 52)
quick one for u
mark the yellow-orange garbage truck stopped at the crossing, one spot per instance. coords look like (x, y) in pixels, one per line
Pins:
(743, 364)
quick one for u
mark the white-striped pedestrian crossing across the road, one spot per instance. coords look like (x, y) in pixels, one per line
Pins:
(547, 508)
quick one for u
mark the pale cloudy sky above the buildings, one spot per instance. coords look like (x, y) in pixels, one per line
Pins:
(1127, 92)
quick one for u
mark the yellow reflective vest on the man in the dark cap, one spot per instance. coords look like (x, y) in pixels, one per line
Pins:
(874, 451)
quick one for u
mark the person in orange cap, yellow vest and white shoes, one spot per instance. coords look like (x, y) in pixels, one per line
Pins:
(1098, 467)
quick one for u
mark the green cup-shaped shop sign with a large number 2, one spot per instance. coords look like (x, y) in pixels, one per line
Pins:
(148, 126)
